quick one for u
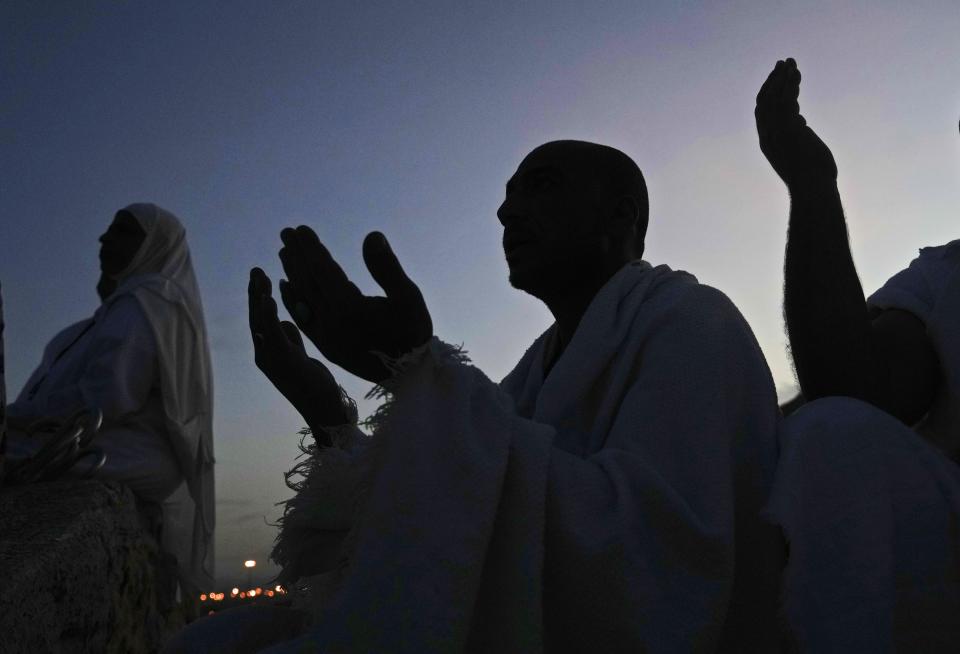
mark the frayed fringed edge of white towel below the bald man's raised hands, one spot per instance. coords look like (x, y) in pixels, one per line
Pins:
(332, 483)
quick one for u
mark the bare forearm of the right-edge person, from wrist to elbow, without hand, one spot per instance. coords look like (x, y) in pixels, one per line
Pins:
(824, 305)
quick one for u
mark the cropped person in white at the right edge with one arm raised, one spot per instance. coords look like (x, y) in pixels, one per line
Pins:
(867, 490)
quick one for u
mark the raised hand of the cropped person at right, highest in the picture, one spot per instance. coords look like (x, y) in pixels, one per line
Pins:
(793, 149)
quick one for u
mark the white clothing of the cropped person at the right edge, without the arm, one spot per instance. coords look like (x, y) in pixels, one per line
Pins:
(870, 507)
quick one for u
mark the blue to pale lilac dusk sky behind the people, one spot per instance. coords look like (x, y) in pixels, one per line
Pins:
(245, 117)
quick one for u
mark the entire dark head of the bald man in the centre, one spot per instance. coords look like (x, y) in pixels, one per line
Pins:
(573, 211)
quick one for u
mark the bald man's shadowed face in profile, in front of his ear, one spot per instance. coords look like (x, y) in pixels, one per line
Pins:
(549, 219)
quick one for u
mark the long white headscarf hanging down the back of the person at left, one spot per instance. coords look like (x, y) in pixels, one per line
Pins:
(161, 278)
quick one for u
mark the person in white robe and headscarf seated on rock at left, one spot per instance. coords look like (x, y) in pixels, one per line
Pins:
(142, 360)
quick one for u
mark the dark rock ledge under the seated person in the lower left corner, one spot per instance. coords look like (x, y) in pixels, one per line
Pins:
(78, 570)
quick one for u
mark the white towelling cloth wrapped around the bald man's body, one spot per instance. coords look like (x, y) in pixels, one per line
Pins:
(612, 506)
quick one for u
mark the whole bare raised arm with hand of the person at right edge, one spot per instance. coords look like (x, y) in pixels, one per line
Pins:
(839, 345)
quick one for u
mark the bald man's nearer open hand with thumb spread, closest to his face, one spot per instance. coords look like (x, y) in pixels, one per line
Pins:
(347, 326)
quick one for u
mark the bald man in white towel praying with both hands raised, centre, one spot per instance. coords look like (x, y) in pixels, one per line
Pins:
(604, 497)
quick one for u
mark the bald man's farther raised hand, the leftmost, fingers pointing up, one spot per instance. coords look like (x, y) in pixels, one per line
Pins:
(280, 355)
